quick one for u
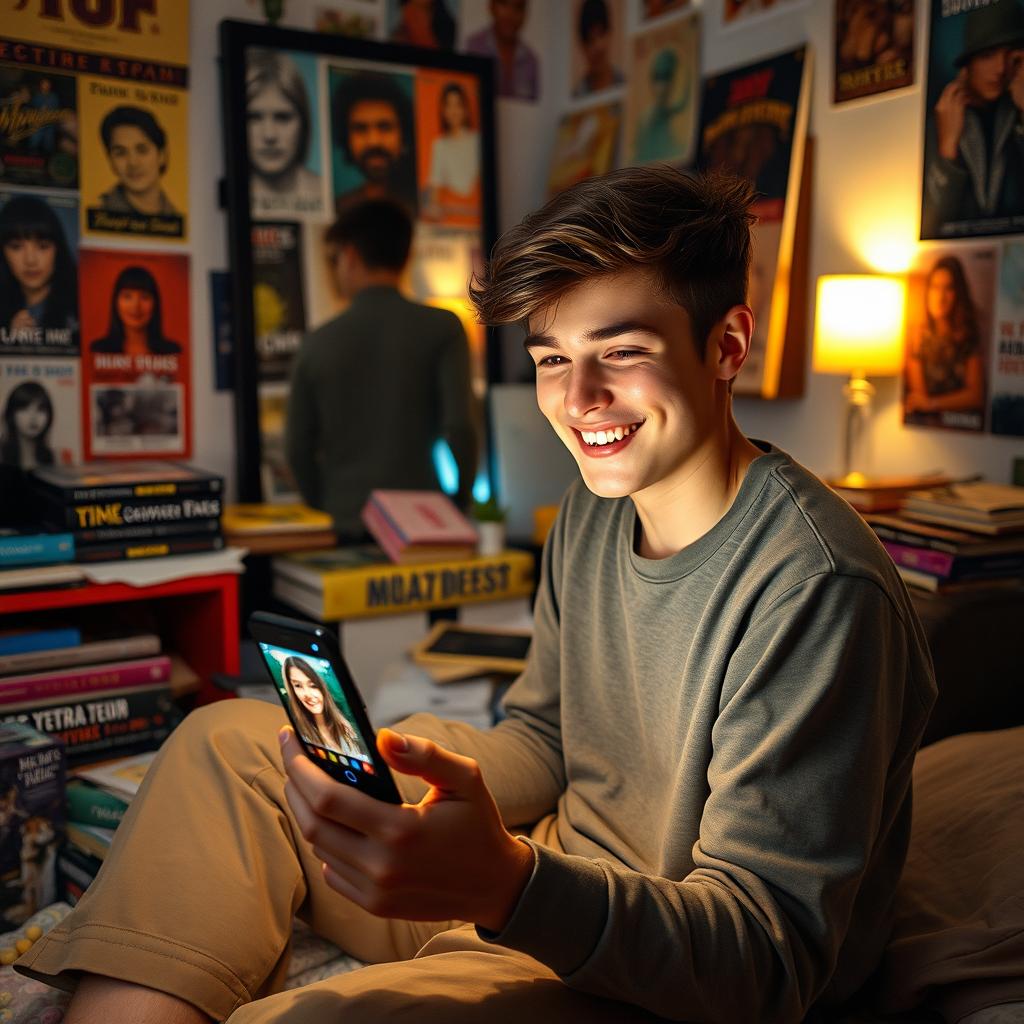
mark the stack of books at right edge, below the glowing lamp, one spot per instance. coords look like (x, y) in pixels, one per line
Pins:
(957, 538)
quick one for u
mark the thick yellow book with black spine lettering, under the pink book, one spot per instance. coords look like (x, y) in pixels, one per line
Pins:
(353, 583)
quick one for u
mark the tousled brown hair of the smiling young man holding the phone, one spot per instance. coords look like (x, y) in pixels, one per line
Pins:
(694, 231)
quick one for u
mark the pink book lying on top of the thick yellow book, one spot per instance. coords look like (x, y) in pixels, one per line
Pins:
(418, 527)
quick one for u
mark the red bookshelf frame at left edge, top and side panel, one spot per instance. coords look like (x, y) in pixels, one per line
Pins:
(199, 617)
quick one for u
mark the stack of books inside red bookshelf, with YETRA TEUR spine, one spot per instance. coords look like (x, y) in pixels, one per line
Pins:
(104, 697)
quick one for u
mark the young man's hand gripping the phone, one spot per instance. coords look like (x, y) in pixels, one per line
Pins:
(447, 859)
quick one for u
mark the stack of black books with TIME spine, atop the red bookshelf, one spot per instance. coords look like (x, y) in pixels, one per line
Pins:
(117, 511)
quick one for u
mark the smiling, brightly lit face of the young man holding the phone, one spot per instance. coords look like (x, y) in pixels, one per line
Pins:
(620, 380)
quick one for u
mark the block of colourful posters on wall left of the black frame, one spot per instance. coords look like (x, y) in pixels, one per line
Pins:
(95, 340)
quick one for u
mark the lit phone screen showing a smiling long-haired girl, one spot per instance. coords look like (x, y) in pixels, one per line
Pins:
(319, 710)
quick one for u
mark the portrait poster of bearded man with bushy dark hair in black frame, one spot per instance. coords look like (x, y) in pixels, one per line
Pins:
(373, 137)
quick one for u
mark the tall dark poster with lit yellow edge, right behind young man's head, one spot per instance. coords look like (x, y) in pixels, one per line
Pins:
(754, 124)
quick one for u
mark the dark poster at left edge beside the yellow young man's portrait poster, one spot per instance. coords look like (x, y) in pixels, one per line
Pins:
(38, 129)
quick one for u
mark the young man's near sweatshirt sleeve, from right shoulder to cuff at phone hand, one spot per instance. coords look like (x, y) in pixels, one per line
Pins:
(799, 787)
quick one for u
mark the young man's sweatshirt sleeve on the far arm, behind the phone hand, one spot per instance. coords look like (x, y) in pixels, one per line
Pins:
(522, 757)
